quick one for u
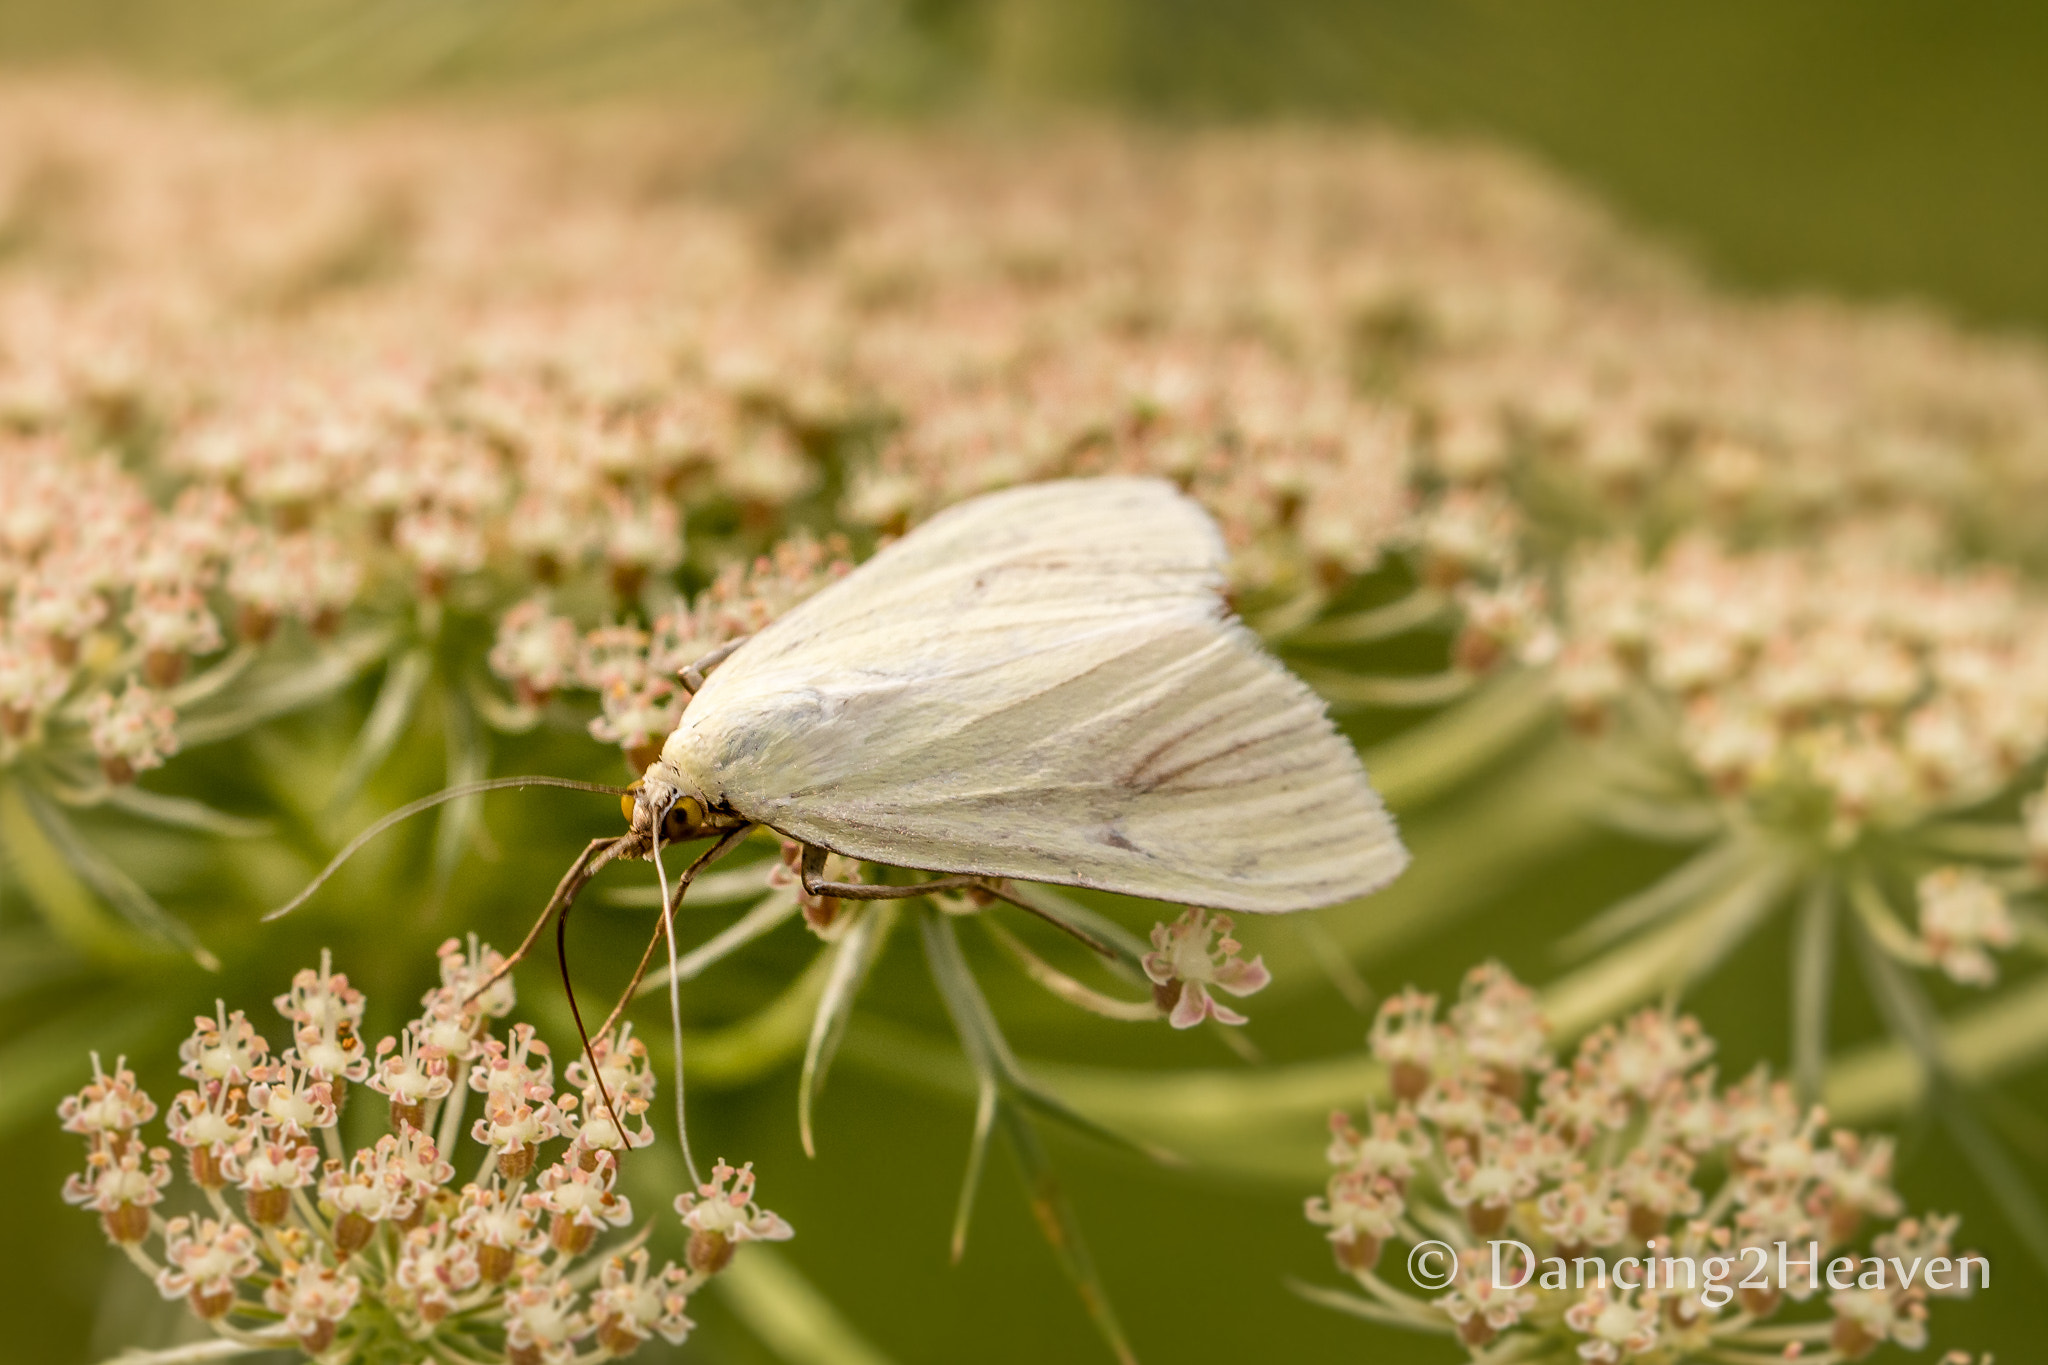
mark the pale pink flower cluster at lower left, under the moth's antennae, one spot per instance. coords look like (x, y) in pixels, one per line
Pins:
(294, 1241)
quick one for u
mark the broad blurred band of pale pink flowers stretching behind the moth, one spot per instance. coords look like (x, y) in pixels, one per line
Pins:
(552, 371)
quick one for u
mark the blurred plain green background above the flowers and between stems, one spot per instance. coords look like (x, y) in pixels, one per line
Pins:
(1875, 148)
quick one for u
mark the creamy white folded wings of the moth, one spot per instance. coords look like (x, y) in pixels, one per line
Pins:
(1043, 685)
